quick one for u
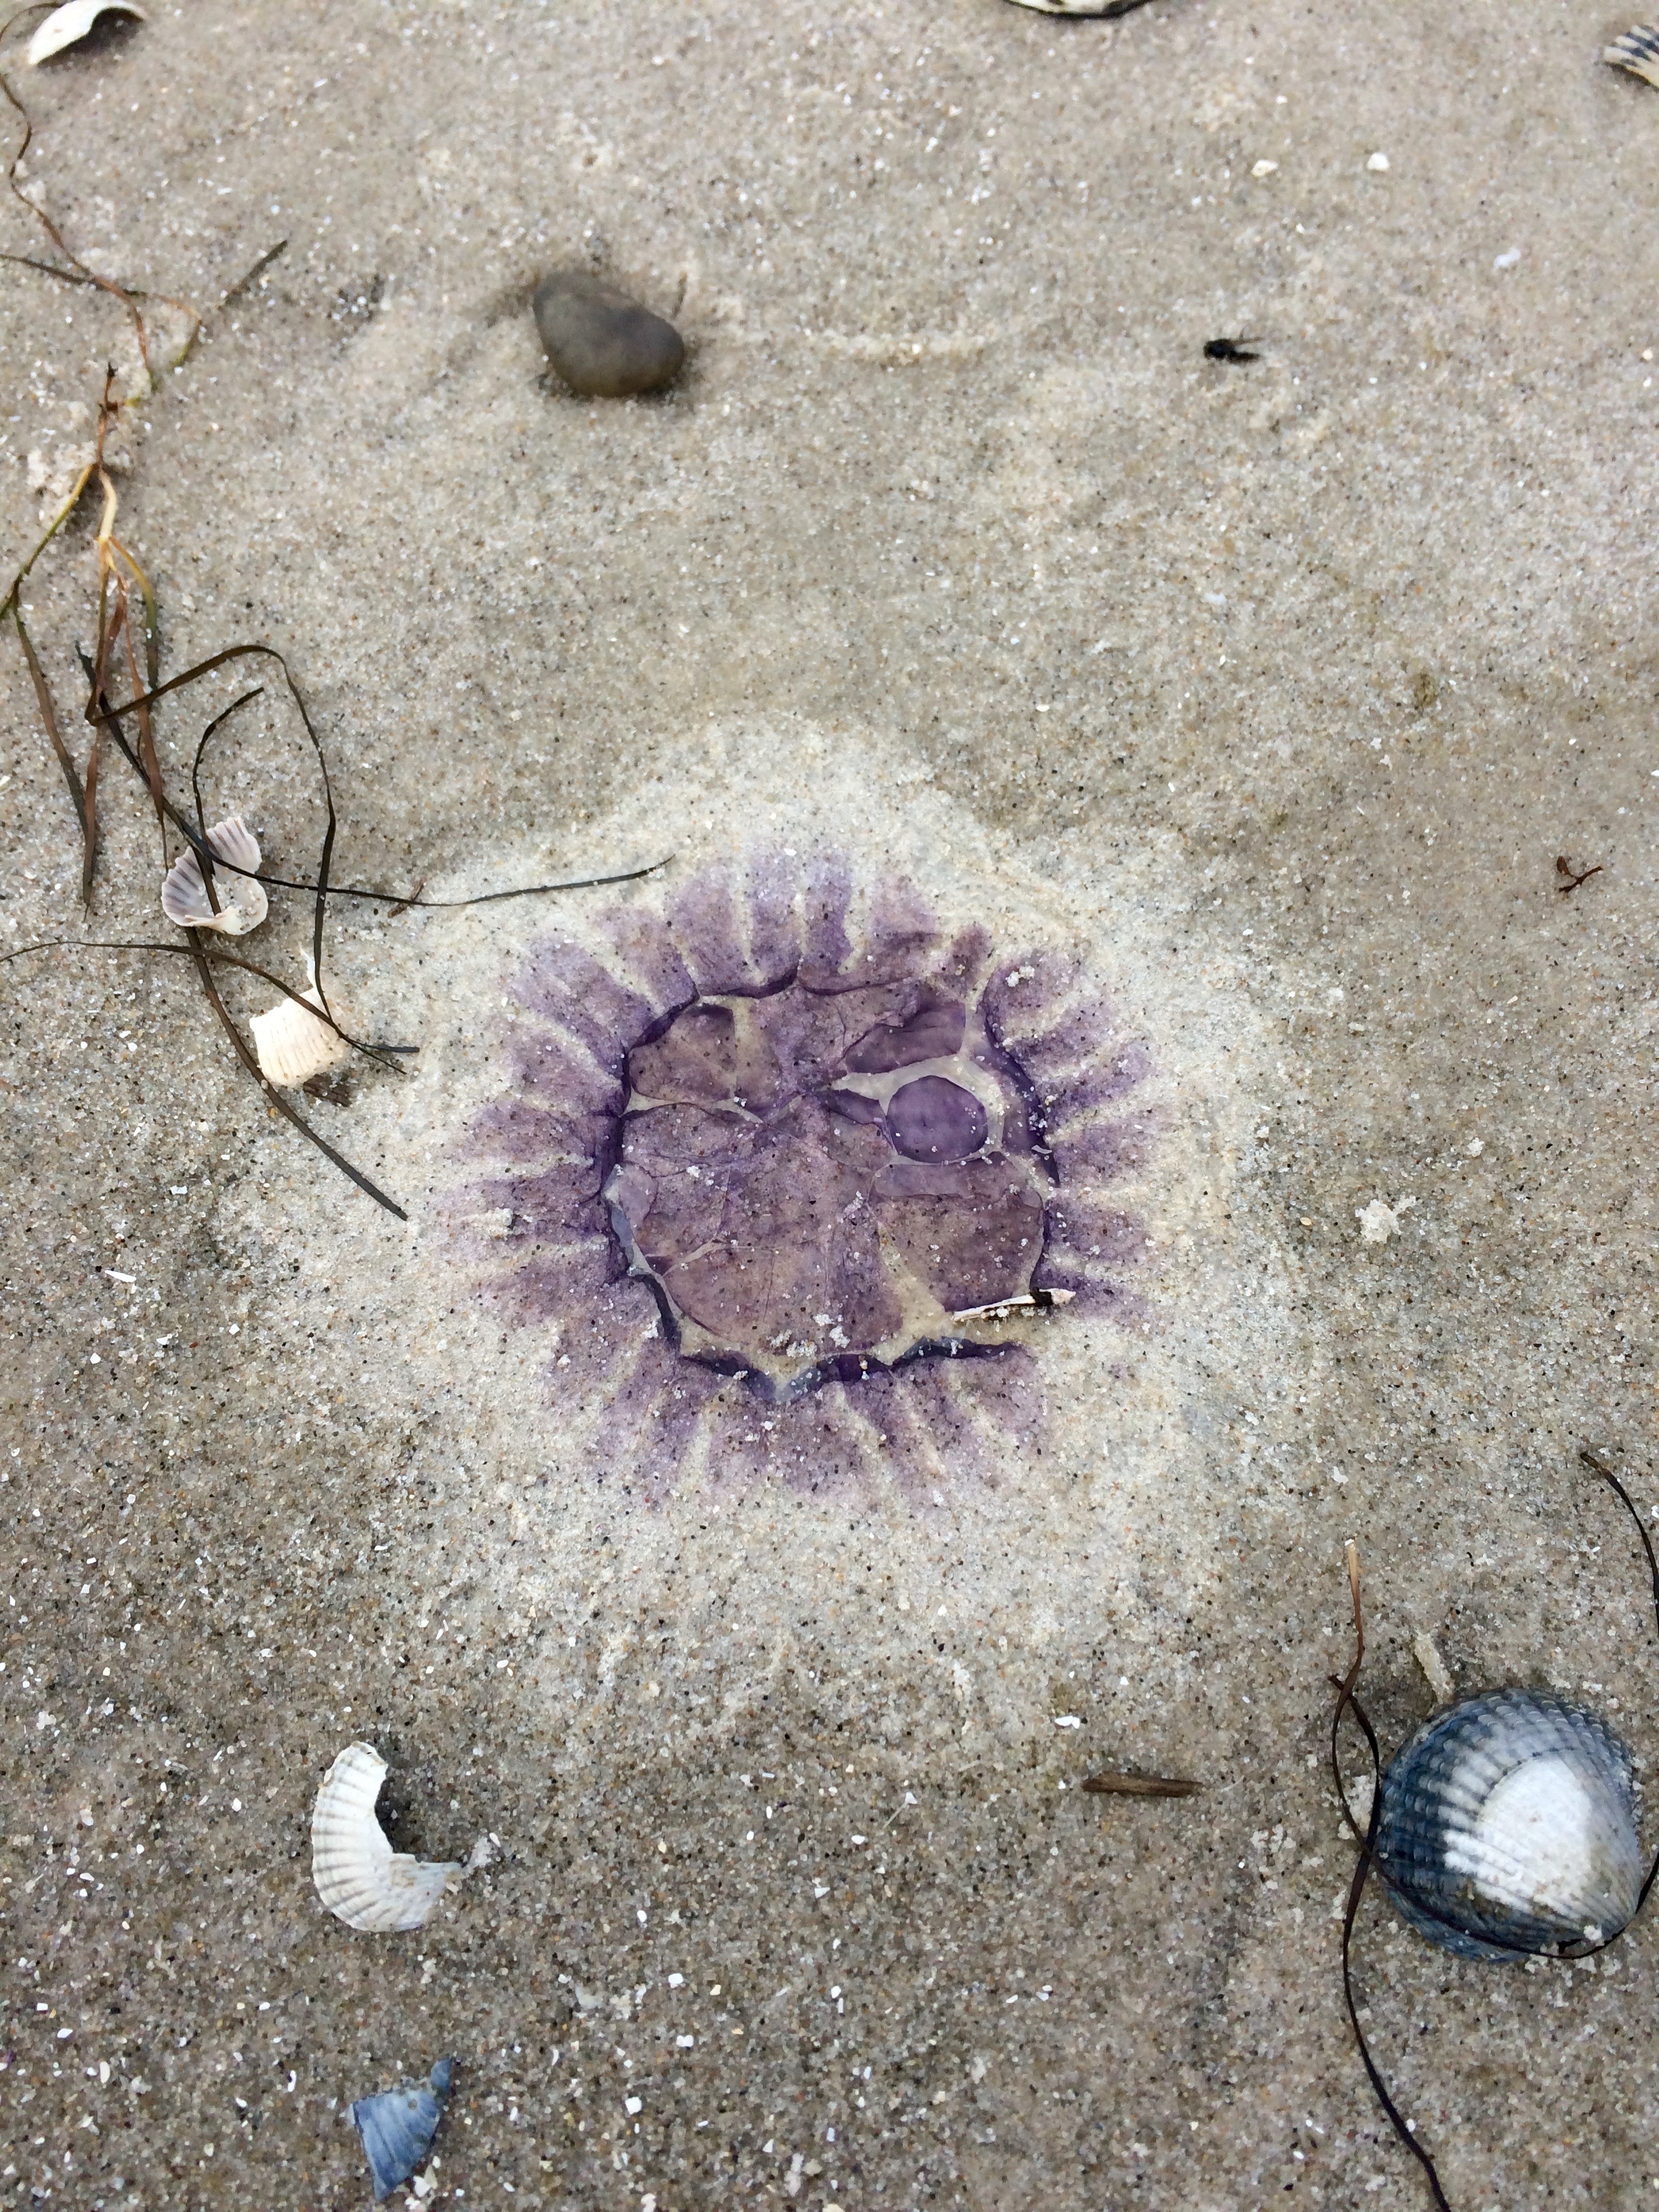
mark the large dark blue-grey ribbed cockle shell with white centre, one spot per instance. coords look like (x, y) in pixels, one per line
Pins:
(1510, 1828)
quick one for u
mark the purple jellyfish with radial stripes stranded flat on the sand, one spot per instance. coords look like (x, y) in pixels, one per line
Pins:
(771, 1162)
